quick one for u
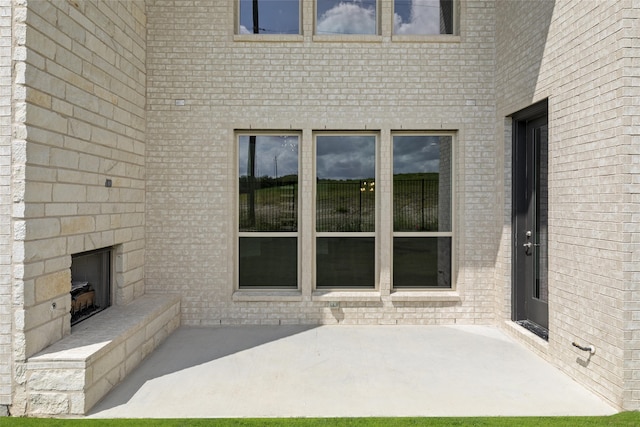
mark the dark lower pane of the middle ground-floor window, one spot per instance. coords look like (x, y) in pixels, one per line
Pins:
(345, 262)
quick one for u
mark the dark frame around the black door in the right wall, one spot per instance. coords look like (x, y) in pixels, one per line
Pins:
(520, 122)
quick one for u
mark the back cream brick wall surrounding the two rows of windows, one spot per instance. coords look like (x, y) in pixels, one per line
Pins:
(308, 83)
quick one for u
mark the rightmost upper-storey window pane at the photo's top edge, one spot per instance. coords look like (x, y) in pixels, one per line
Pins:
(423, 17)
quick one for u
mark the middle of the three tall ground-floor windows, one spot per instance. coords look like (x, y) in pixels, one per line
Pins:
(345, 211)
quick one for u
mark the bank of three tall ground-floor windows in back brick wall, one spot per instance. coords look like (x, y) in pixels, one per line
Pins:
(340, 209)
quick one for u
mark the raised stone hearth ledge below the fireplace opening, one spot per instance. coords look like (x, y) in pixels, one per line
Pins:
(71, 375)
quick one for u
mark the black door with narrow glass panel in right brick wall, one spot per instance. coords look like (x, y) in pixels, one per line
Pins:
(530, 220)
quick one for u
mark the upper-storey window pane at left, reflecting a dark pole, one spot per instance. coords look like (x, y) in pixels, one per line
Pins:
(272, 17)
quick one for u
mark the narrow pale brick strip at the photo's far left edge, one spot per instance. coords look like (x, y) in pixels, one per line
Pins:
(5, 205)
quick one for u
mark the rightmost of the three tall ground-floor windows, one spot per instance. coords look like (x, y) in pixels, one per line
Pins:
(422, 211)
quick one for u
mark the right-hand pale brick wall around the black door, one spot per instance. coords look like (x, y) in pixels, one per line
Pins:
(583, 56)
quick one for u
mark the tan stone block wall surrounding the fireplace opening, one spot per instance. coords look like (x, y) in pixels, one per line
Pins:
(79, 119)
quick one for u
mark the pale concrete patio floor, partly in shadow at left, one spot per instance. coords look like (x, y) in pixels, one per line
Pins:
(345, 371)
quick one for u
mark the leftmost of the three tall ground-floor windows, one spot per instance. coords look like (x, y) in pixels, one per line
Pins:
(268, 211)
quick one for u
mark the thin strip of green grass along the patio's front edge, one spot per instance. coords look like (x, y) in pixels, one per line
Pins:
(622, 419)
